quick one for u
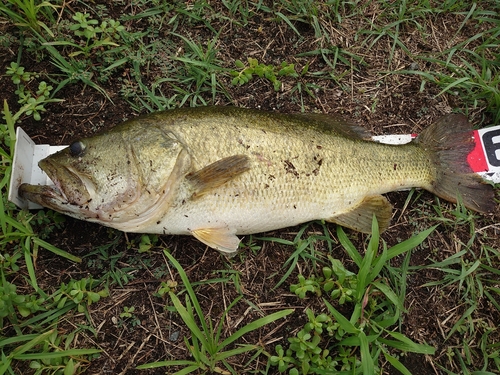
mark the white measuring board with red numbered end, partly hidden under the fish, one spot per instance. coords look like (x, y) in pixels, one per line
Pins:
(484, 159)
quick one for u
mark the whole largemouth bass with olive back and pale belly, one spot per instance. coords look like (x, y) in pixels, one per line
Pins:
(220, 172)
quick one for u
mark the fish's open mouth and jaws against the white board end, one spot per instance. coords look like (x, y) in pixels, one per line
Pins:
(68, 193)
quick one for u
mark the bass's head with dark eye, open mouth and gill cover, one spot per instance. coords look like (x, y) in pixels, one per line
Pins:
(117, 178)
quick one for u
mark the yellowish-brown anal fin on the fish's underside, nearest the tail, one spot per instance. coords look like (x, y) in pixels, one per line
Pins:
(360, 218)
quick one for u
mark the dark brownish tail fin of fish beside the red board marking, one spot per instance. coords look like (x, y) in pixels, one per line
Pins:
(450, 140)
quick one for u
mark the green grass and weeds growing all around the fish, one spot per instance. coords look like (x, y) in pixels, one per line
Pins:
(166, 55)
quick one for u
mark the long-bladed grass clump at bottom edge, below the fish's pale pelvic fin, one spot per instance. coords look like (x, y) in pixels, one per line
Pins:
(206, 346)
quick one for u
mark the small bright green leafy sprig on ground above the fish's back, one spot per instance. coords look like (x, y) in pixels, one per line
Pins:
(270, 72)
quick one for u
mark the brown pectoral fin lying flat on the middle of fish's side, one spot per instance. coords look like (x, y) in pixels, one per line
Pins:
(218, 173)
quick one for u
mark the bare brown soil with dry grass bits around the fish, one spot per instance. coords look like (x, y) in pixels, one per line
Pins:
(365, 92)
